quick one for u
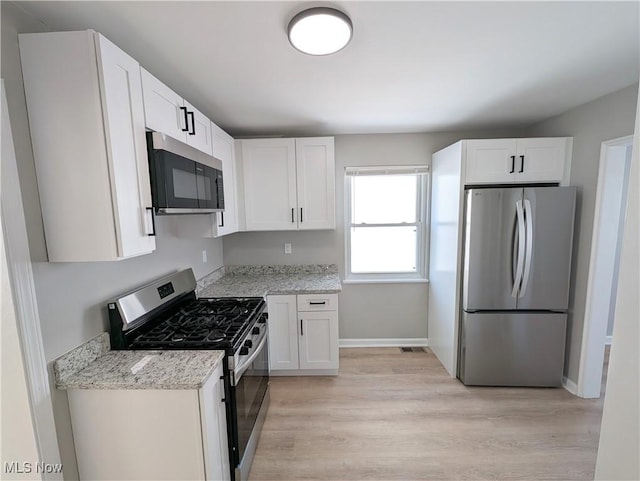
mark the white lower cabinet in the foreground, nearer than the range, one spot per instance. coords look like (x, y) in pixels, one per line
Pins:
(151, 433)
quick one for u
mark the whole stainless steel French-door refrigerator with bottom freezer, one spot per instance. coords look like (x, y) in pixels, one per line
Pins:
(515, 291)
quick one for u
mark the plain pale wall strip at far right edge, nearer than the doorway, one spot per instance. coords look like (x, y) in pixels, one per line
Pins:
(620, 433)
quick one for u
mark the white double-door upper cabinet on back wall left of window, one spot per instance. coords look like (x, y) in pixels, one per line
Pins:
(289, 184)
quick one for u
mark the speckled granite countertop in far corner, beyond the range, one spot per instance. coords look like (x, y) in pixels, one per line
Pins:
(259, 281)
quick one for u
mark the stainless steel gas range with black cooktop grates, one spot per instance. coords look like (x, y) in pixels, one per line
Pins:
(166, 314)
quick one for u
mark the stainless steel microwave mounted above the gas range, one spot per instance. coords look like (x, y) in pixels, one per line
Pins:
(184, 180)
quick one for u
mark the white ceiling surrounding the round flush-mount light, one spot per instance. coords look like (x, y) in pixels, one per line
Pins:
(410, 67)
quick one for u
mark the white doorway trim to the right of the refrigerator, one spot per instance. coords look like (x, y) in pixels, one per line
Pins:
(595, 330)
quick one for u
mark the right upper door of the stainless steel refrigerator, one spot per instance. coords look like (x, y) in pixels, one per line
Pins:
(549, 216)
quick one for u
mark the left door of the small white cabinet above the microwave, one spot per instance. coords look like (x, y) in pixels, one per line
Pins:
(164, 109)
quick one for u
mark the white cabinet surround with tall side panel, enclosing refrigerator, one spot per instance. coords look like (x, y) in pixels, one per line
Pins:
(467, 163)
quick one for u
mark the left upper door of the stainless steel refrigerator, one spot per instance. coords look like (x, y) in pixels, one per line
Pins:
(491, 249)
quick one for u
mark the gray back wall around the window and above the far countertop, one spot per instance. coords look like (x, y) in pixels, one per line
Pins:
(367, 311)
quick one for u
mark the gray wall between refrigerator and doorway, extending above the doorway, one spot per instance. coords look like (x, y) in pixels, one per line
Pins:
(606, 118)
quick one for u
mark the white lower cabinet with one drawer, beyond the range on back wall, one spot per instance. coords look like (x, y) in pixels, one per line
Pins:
(303, 334)
